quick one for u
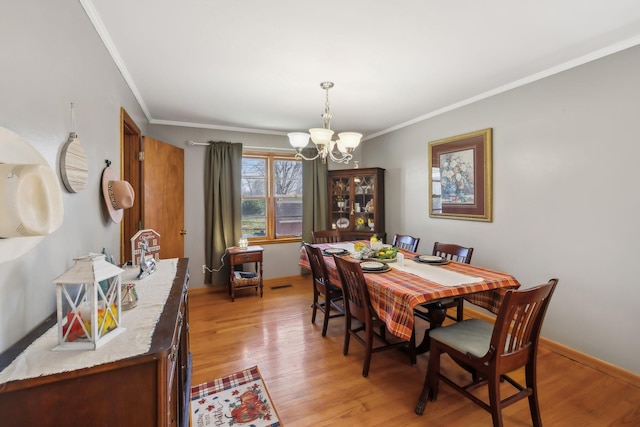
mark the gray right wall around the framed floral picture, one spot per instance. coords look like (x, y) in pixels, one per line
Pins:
(566, 204)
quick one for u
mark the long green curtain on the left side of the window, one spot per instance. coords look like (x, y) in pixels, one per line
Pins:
(223, 215)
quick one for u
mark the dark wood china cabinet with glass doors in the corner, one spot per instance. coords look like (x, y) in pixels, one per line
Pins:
(356, 202)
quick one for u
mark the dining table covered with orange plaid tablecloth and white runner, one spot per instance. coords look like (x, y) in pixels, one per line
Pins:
(401, 293)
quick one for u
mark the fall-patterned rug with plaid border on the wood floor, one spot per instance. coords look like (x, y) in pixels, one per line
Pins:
(239, 399)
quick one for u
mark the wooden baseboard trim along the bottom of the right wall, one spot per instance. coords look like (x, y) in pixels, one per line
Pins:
(614, 371)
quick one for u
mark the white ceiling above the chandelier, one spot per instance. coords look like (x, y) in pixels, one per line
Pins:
(253, 65)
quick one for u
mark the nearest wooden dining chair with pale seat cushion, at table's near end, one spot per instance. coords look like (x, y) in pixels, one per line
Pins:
(492, 351)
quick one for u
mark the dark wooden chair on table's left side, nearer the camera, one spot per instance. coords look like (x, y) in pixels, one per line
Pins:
(358, 306)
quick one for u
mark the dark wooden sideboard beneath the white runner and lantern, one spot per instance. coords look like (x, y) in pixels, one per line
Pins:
(150, 389)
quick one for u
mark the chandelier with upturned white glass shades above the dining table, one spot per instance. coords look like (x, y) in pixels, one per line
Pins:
(337, 150)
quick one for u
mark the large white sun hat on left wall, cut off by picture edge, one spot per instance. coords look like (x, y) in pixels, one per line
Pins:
(31, 204)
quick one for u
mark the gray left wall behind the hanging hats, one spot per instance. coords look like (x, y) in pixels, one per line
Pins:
(50, 57)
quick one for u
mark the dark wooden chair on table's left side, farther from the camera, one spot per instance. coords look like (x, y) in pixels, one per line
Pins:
(326, 295)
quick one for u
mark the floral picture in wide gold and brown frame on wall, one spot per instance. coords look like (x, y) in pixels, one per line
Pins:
(460, 174)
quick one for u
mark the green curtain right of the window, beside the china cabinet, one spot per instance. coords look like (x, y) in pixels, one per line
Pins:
(315, 213)
